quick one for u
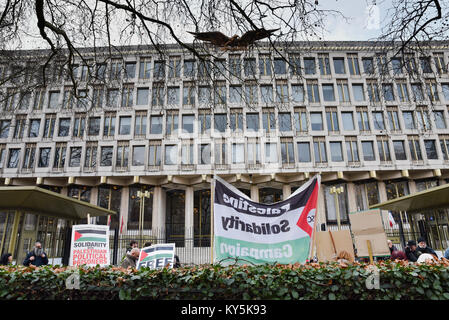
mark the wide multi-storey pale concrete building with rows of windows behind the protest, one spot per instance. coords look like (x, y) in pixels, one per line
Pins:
(376, 126)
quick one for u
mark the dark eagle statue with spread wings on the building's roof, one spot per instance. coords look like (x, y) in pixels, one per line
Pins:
(235, 42)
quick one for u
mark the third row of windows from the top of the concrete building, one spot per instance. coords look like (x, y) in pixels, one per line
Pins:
(236, 121)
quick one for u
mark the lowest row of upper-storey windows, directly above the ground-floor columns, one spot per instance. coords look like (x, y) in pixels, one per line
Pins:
(286, 152)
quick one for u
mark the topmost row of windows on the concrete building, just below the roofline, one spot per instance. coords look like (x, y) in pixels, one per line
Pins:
(265, 65)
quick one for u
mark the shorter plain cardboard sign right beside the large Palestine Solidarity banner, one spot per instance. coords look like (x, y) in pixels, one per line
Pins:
(330, 243)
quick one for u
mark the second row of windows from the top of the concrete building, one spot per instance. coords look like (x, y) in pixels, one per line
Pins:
(220, 94)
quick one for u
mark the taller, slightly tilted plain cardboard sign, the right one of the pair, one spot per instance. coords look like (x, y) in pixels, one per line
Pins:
(367, 225)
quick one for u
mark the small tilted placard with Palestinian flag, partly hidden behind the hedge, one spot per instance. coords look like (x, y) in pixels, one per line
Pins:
(157, 256)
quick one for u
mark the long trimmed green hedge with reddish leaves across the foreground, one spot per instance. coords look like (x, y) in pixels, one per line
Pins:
(311, 281)
